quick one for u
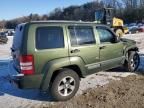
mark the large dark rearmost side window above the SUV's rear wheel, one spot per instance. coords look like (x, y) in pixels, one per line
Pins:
(49, 38)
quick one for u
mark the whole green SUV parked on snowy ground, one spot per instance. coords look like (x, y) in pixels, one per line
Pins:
(54, 55)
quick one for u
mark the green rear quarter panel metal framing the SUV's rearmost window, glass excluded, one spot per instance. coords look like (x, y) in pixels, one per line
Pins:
(41, 57)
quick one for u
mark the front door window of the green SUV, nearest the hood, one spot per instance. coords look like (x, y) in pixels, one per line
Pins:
(105, 35)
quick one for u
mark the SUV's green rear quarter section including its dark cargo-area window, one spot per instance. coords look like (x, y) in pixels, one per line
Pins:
(47, 42)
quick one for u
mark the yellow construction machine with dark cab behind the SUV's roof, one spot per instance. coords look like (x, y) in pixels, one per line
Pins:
(105, 16)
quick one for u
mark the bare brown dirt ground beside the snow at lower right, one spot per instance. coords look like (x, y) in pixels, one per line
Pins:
(125, 93)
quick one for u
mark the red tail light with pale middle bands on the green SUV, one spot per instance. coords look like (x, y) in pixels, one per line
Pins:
(27, 64)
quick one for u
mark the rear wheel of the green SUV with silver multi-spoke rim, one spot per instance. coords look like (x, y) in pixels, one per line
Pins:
(65, 85)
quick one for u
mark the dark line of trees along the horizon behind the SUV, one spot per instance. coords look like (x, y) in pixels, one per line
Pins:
(128, 10)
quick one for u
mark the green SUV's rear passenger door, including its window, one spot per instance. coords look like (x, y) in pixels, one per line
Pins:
(83, 45)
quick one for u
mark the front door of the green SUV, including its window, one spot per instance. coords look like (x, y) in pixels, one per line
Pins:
(111, 52)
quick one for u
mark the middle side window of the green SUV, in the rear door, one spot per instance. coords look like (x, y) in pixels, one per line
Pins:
(81, 35)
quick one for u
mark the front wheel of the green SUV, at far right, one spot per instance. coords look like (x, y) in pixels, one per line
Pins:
(133, 61)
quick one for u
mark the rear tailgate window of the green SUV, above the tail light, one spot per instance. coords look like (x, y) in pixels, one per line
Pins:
(17, 40)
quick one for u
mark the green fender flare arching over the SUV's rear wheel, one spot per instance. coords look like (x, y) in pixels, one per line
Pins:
(52, 68)
